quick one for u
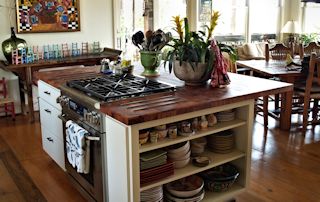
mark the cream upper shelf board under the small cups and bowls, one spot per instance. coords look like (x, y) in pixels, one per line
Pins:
(221, 126)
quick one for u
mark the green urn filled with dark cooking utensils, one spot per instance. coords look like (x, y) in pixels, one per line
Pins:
(150, 46)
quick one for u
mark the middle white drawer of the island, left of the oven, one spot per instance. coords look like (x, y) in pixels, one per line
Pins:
(49, 118)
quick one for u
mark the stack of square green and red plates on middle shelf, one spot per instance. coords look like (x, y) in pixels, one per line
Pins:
(154, 166)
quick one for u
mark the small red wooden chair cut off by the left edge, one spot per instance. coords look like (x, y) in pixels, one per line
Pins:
(5, 102)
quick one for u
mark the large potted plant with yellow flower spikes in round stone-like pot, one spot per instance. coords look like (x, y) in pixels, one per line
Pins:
(192, 55)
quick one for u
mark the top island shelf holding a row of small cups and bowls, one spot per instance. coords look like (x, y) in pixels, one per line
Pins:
(174, 133)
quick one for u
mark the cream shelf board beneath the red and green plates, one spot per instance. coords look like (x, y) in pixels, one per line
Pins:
(216, 159)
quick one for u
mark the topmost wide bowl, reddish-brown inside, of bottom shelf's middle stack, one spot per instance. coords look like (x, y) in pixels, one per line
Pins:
(185, 187)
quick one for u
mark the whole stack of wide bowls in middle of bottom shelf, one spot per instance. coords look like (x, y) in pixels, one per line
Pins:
(188, 189)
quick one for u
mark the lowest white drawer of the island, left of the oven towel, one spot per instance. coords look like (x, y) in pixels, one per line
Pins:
(53, 146)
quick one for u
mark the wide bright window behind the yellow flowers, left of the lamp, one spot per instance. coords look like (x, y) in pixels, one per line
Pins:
(242, 19)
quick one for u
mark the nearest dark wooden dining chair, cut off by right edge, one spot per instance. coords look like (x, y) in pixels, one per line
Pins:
(310, 90)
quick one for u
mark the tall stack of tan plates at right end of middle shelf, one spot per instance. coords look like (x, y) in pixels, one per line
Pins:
(222, 142)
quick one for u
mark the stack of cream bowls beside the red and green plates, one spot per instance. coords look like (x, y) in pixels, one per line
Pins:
(179, 154)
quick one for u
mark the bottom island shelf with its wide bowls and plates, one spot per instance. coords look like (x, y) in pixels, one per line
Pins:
(214, 184)
